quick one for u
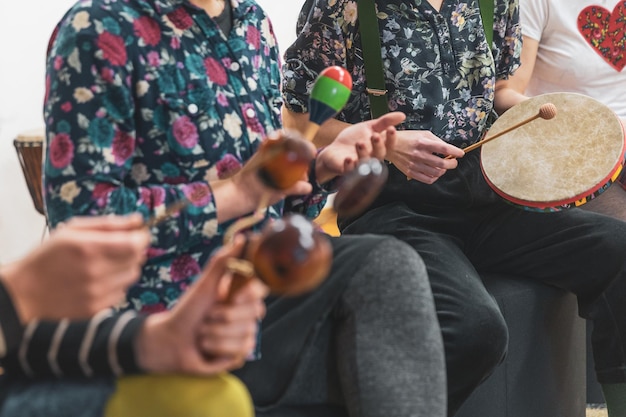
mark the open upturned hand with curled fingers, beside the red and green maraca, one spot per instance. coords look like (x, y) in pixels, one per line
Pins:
(370, 139)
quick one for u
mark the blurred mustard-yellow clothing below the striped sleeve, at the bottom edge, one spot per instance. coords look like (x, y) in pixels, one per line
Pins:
(180, 396)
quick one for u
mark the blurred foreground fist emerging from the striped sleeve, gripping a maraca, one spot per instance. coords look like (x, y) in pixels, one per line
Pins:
(205, 332)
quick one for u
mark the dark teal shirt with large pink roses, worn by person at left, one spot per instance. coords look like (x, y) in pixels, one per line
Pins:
(147, 101)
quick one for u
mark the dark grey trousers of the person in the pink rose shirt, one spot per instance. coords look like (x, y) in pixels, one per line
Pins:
(365, 343)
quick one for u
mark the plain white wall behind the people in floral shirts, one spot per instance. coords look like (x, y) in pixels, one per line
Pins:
(24, 33)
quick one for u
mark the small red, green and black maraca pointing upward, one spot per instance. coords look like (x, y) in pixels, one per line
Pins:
(330, 93)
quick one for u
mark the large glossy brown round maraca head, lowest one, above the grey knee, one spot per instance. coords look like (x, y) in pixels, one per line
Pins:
(290, 256)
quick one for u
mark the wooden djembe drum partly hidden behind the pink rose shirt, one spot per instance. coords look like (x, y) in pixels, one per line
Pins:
(29, 147)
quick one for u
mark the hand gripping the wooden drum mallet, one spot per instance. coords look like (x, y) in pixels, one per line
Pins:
(417, 155)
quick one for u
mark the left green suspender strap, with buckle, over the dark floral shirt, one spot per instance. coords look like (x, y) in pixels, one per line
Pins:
(372, 59)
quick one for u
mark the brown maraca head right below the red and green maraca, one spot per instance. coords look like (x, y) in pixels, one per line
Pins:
(286, 156)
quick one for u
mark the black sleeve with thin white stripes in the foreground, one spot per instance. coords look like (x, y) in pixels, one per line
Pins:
(101, 346)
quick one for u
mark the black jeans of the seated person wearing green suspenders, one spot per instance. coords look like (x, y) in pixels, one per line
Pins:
(461, 228)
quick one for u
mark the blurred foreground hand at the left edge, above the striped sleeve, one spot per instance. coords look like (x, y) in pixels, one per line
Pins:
(86, 265)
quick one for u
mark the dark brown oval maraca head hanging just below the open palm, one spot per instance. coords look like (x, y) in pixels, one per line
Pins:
(360, 187)
